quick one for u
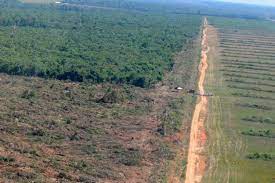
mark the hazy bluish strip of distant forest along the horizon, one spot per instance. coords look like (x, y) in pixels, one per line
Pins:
(198, 7)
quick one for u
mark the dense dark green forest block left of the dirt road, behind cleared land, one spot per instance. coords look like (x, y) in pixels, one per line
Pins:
(95, 45)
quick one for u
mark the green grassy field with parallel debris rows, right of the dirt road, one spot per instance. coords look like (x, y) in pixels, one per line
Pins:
(241, 121)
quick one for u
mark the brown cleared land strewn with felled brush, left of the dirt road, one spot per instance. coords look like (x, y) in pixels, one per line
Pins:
(53, 130)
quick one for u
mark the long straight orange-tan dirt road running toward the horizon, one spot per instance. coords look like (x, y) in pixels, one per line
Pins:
(196, 160)
